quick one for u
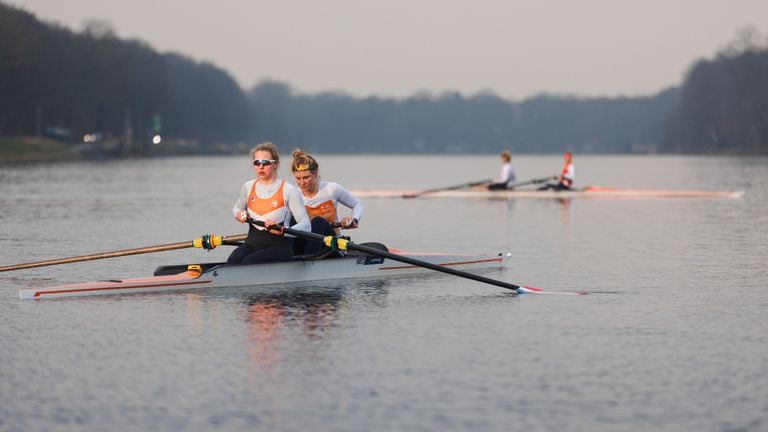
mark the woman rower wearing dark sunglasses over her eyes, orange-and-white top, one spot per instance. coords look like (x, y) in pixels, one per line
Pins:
(272, 201)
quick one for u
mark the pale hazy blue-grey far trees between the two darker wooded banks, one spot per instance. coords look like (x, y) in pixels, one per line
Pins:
(451, 123)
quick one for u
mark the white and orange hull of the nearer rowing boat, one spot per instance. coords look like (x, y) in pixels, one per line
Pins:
(221, 275)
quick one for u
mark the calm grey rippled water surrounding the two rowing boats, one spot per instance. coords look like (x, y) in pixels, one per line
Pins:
(673, 338)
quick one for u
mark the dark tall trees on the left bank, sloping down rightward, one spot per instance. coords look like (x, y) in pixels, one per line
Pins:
(64, 84)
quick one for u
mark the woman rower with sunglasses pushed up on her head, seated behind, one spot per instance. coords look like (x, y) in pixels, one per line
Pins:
(322, 199)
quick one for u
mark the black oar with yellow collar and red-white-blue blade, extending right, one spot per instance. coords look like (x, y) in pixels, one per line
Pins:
(344, 244)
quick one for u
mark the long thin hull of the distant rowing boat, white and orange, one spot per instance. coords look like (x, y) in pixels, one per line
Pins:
(588, 192)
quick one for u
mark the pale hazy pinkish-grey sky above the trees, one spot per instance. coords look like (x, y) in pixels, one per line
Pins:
(399, 47)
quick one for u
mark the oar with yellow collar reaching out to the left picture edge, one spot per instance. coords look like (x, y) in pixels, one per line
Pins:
(206, 242)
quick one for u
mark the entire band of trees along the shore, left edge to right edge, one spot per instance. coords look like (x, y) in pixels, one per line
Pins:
(54, 81)
